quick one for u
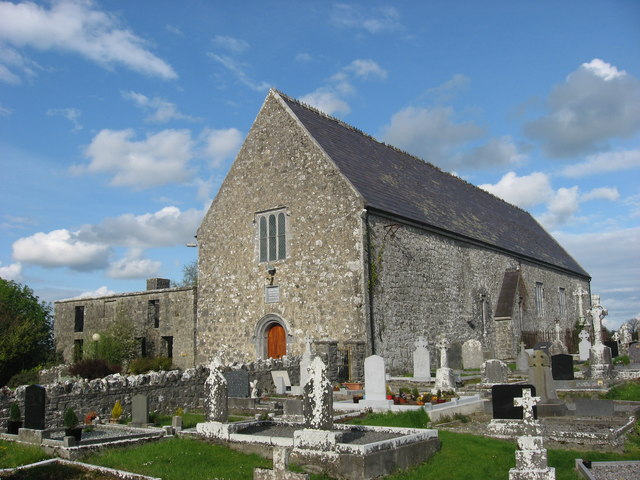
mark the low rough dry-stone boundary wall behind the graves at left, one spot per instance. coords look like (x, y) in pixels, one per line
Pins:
(166, 391)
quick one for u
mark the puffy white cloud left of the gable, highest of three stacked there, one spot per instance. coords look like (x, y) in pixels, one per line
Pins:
(158, 160)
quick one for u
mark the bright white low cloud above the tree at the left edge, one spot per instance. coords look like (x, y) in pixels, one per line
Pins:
(61, 248)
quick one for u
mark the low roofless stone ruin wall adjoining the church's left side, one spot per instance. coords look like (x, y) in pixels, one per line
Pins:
(177, 320)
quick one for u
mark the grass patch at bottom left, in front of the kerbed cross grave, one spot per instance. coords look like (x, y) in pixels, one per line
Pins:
(180, 458)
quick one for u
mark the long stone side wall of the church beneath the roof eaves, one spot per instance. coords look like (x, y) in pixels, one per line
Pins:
(427, 284)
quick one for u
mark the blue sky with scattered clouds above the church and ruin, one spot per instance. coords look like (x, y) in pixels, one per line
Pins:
(119, 119)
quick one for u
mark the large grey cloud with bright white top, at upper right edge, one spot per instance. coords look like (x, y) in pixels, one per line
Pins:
(595, 104)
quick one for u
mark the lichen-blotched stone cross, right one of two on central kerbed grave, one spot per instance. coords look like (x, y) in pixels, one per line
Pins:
(317, 400)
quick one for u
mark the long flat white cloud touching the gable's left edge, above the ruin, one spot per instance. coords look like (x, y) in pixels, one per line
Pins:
(167, 227)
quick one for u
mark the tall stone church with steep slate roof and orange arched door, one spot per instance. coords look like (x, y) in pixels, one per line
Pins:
(321, 232)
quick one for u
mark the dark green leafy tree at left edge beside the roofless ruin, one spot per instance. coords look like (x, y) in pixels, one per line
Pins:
(26, 340)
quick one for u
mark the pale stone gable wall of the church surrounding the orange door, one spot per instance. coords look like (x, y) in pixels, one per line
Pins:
(321, 282)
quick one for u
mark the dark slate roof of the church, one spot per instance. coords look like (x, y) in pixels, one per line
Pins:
(400, 184)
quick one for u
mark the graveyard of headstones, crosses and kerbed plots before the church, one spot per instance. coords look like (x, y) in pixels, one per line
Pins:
(545, 406)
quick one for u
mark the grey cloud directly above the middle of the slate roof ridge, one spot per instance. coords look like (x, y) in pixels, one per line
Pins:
(430, 133)
